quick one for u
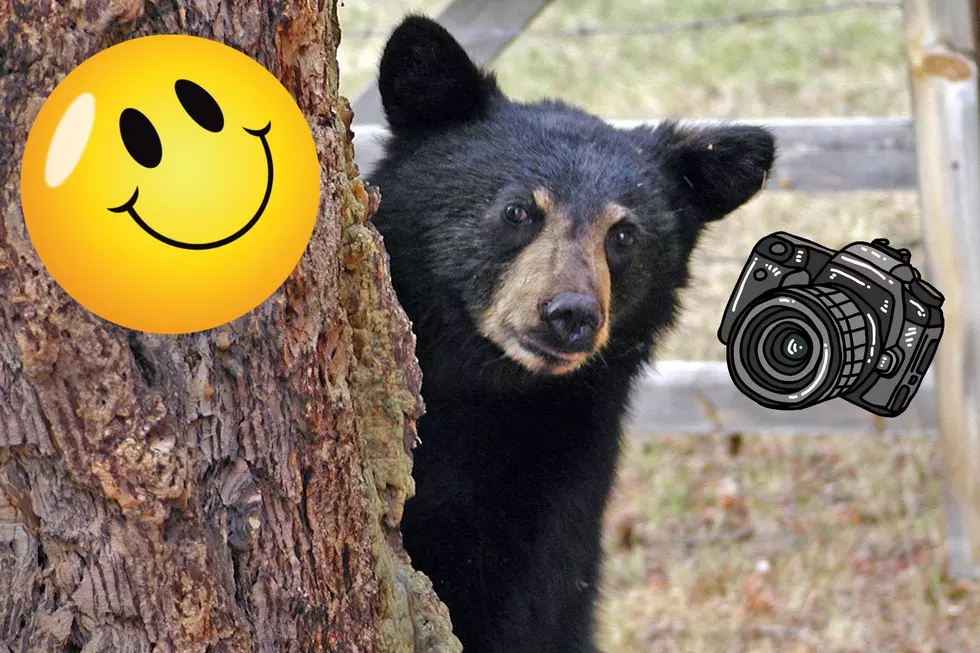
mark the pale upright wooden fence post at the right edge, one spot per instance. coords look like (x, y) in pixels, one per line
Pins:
(942, 48)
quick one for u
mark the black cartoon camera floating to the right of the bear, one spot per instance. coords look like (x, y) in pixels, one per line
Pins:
(806, 324)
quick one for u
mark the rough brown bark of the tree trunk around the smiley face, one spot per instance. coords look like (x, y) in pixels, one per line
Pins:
(235, 490)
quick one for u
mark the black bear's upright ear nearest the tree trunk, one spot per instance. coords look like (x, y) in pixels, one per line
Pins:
(427, 80)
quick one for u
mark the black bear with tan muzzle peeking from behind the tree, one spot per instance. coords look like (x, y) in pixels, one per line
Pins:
(538, 252)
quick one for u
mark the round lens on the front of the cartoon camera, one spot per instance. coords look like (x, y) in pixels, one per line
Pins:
(798, 346)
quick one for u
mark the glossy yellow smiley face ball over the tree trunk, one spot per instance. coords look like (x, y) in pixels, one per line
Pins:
(170, 184)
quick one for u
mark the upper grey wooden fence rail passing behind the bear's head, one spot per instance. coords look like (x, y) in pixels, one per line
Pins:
(814, 154)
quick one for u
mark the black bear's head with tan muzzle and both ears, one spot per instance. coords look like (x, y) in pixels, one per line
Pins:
(538, 237)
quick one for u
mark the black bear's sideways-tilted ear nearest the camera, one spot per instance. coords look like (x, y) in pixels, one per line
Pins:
(714, 169)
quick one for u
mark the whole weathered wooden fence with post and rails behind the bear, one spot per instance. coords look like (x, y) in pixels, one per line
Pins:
(936, 152)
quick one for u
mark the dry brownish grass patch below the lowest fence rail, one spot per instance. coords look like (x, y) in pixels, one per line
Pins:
(792, 544)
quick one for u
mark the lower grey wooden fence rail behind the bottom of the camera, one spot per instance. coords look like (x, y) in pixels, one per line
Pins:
(698, 397)
